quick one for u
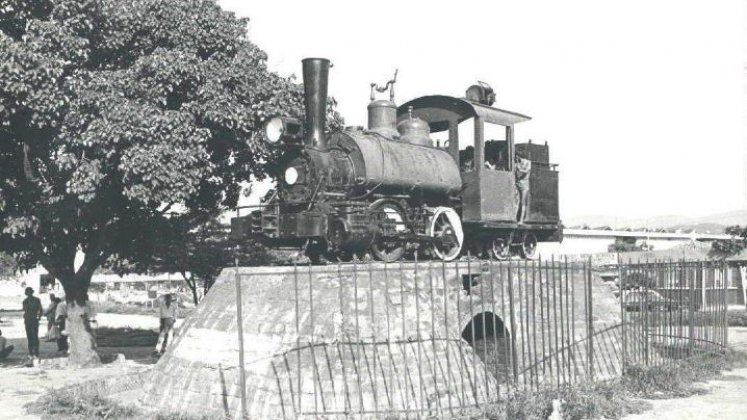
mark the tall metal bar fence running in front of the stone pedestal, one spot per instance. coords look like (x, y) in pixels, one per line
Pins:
(433, 338)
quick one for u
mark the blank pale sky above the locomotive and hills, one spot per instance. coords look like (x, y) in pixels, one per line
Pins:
(643, 103)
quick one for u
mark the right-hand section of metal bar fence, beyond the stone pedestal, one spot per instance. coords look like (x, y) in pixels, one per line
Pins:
(672, 310)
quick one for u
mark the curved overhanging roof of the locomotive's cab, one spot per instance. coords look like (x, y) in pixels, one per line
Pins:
(438, 110)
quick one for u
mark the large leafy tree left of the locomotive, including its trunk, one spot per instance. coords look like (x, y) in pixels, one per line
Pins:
(118, 116)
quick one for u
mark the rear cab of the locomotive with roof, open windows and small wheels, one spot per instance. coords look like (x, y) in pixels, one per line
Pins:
(489, 203)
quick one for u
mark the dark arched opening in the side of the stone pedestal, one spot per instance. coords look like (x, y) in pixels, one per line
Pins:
(491, 341)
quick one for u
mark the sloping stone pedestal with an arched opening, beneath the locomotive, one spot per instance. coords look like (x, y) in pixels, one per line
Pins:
(368, 340)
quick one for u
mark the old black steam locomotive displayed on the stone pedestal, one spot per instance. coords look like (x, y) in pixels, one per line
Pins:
(392, 191)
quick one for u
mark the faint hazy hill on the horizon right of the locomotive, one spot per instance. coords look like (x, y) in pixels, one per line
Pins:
(714, 223)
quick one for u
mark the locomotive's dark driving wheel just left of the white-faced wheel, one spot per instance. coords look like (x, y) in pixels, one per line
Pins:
(387, 216)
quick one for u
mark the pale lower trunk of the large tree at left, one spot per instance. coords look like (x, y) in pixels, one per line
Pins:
(82, 352)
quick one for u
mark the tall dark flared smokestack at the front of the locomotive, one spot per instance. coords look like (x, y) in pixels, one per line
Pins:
(315, 78)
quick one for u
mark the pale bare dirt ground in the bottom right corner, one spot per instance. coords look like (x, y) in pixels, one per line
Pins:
(726, 398)
